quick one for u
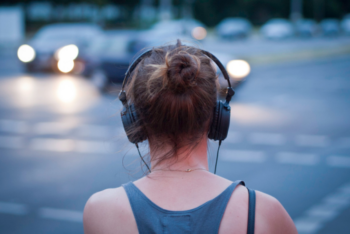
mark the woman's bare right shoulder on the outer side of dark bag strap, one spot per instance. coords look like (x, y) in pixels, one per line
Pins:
(271, 217)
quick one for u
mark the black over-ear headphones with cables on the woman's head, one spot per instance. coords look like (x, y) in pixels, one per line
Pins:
(221, 118)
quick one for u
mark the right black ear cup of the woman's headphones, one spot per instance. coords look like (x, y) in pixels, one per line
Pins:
(221, 122)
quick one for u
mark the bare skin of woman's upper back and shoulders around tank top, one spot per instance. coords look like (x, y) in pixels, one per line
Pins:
(110, 211)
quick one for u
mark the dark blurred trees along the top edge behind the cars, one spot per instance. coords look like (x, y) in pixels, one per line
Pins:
(211, 12)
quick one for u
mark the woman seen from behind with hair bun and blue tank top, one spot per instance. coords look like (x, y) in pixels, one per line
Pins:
(174, 92)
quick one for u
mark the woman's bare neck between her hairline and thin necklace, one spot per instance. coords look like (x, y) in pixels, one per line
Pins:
(187, 158)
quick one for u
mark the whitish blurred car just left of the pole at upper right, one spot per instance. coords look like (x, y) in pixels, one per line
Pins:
(277, 29)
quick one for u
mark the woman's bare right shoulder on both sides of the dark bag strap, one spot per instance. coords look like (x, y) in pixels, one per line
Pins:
(270, 215)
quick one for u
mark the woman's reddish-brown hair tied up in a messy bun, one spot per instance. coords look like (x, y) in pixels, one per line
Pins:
(174, 91)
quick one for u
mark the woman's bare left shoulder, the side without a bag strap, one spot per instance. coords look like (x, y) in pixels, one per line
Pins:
(109, 211)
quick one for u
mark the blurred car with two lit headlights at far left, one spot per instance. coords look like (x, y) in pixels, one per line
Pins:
(60, 48)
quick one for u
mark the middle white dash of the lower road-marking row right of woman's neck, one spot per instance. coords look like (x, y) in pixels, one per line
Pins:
(297, 158)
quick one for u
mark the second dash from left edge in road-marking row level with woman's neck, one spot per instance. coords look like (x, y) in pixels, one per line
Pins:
(49, 144)
